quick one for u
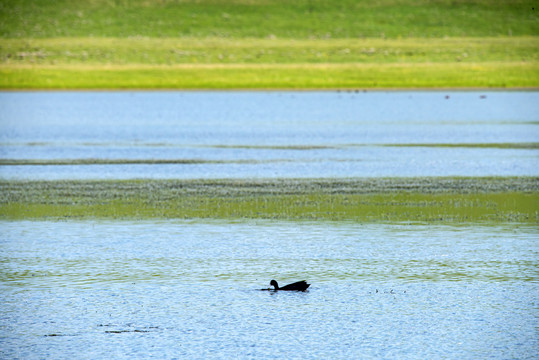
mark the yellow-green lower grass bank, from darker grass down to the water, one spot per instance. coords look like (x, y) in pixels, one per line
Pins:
(87, 63)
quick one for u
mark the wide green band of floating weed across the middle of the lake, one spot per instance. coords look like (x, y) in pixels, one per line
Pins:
(364, 200)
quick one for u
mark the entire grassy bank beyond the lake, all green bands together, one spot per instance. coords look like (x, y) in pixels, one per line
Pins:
(268, 44)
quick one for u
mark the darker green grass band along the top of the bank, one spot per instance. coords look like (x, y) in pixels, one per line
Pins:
(297, 19)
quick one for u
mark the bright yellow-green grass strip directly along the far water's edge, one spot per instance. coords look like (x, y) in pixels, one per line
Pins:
(273, 76)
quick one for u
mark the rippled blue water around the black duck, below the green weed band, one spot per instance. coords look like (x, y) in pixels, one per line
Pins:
(189, 289)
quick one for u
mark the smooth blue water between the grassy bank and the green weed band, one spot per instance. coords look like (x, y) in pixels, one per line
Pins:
(269, 134)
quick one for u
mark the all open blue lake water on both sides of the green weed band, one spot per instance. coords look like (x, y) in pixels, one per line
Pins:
(170, 289)
